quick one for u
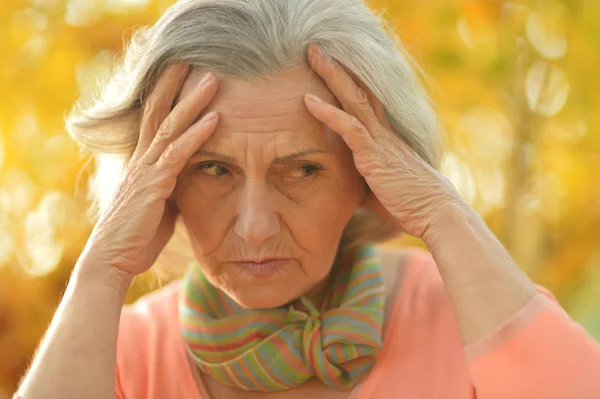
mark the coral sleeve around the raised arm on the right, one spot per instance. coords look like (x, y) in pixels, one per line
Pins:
(539, 353)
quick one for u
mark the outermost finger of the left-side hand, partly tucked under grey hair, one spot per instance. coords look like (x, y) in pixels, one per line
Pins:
(159, 104)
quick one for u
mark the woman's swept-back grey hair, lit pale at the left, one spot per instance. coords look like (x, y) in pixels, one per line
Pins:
(250, 39)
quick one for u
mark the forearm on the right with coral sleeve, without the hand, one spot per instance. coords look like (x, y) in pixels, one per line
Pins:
(519, 342)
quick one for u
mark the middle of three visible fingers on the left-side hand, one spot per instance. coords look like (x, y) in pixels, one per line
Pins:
(181, 118)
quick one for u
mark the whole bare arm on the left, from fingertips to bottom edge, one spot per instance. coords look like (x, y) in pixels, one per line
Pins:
(77, 357)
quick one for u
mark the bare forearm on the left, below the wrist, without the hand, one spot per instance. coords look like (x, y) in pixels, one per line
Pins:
(77, 357)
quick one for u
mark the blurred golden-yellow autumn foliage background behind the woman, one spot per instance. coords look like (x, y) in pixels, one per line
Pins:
(517, 88)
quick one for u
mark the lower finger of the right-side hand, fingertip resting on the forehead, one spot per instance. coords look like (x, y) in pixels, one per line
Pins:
(352, 131)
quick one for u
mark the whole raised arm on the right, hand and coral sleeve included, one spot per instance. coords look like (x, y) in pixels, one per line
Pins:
(486, 287)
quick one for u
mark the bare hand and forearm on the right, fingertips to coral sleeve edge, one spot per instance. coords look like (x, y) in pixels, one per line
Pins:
(485, 286)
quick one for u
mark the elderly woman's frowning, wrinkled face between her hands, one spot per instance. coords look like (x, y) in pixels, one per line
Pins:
(272, 182)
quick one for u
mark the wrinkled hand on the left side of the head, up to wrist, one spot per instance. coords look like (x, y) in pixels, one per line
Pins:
(141, 217)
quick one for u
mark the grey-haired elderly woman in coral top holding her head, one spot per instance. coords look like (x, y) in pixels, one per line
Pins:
(290, 137)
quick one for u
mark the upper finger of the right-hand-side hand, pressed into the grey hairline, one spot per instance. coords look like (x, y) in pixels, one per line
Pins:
(353, 98)
